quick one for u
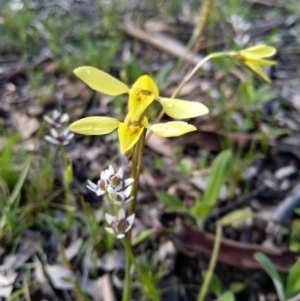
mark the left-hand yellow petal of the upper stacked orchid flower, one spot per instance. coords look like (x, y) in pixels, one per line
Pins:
(101, 81)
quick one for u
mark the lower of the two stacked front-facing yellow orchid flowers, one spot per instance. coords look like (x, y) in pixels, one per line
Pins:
(129, 132)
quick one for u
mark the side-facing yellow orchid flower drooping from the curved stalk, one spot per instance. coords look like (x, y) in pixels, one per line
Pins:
(253, 58)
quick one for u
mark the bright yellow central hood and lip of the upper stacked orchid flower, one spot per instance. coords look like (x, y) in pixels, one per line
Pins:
(141, 95)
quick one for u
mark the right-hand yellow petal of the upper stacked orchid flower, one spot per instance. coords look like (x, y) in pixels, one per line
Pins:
(180, 109)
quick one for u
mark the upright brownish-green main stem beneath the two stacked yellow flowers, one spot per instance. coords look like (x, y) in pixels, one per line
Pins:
(137, 157)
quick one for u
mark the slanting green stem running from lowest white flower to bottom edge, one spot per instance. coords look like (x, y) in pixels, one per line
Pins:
(149, 289)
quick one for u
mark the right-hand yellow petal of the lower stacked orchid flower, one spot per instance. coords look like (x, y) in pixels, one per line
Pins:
(172, 128)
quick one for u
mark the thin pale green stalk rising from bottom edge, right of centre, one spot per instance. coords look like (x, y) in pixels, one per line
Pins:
(212, 264)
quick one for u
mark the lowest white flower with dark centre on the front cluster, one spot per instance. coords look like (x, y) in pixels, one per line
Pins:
(120, 225)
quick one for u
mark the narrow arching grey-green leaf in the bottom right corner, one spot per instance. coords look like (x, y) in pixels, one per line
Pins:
(271, 271)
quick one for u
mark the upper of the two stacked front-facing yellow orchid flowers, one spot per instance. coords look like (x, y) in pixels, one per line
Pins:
(143, 92)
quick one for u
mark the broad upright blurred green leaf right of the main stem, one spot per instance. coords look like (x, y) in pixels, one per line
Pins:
(218, 174)
